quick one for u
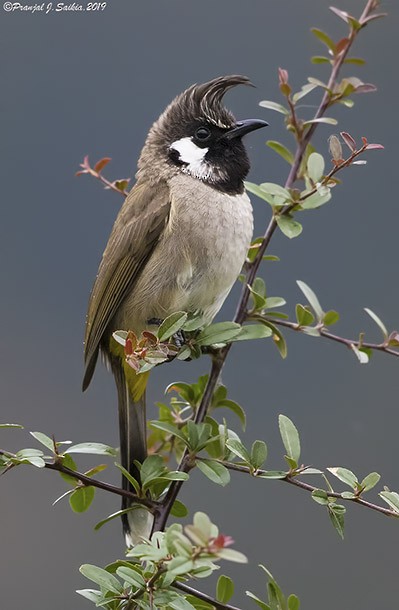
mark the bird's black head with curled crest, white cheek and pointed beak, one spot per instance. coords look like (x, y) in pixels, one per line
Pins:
(198, 136)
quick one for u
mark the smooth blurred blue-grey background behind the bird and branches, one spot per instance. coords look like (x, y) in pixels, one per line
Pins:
(76, 83)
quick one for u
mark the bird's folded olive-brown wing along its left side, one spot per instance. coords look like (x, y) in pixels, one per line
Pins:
(137, 229)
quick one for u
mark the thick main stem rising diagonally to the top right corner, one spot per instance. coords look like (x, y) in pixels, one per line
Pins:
(219, 359)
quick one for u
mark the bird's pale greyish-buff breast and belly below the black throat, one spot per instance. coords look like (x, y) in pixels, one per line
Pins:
(196, 261)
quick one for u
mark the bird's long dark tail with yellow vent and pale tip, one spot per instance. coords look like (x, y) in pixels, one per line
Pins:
(138, 522)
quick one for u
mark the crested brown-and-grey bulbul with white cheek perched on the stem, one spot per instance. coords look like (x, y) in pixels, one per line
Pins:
(178, 244)
